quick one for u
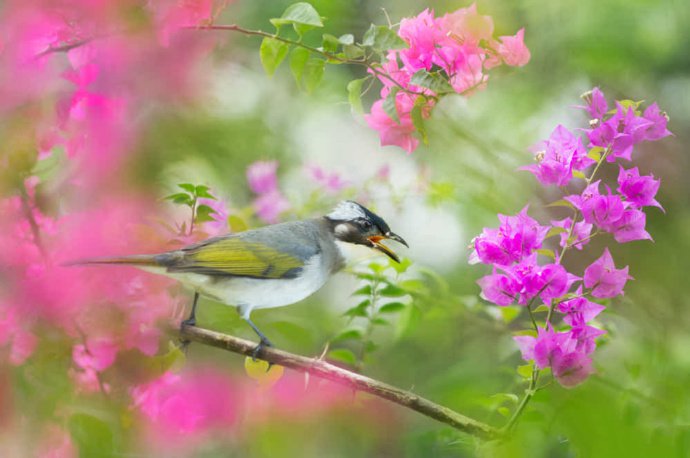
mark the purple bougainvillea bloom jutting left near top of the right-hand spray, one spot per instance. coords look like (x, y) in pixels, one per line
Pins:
(558, 156)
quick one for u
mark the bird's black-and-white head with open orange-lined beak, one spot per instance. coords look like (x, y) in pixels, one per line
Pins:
(353, 223)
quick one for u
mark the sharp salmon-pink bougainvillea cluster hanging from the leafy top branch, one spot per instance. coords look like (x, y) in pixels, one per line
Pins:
(447, 54)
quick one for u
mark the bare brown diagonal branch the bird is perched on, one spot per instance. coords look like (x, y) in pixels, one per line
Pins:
(319, 368)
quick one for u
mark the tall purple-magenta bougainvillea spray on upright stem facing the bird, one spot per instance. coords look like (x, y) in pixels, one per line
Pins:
(513, 249)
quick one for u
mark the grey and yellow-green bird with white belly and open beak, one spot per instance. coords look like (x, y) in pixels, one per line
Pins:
(271, 266)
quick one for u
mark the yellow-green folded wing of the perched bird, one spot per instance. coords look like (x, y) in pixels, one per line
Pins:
(240, 257)
